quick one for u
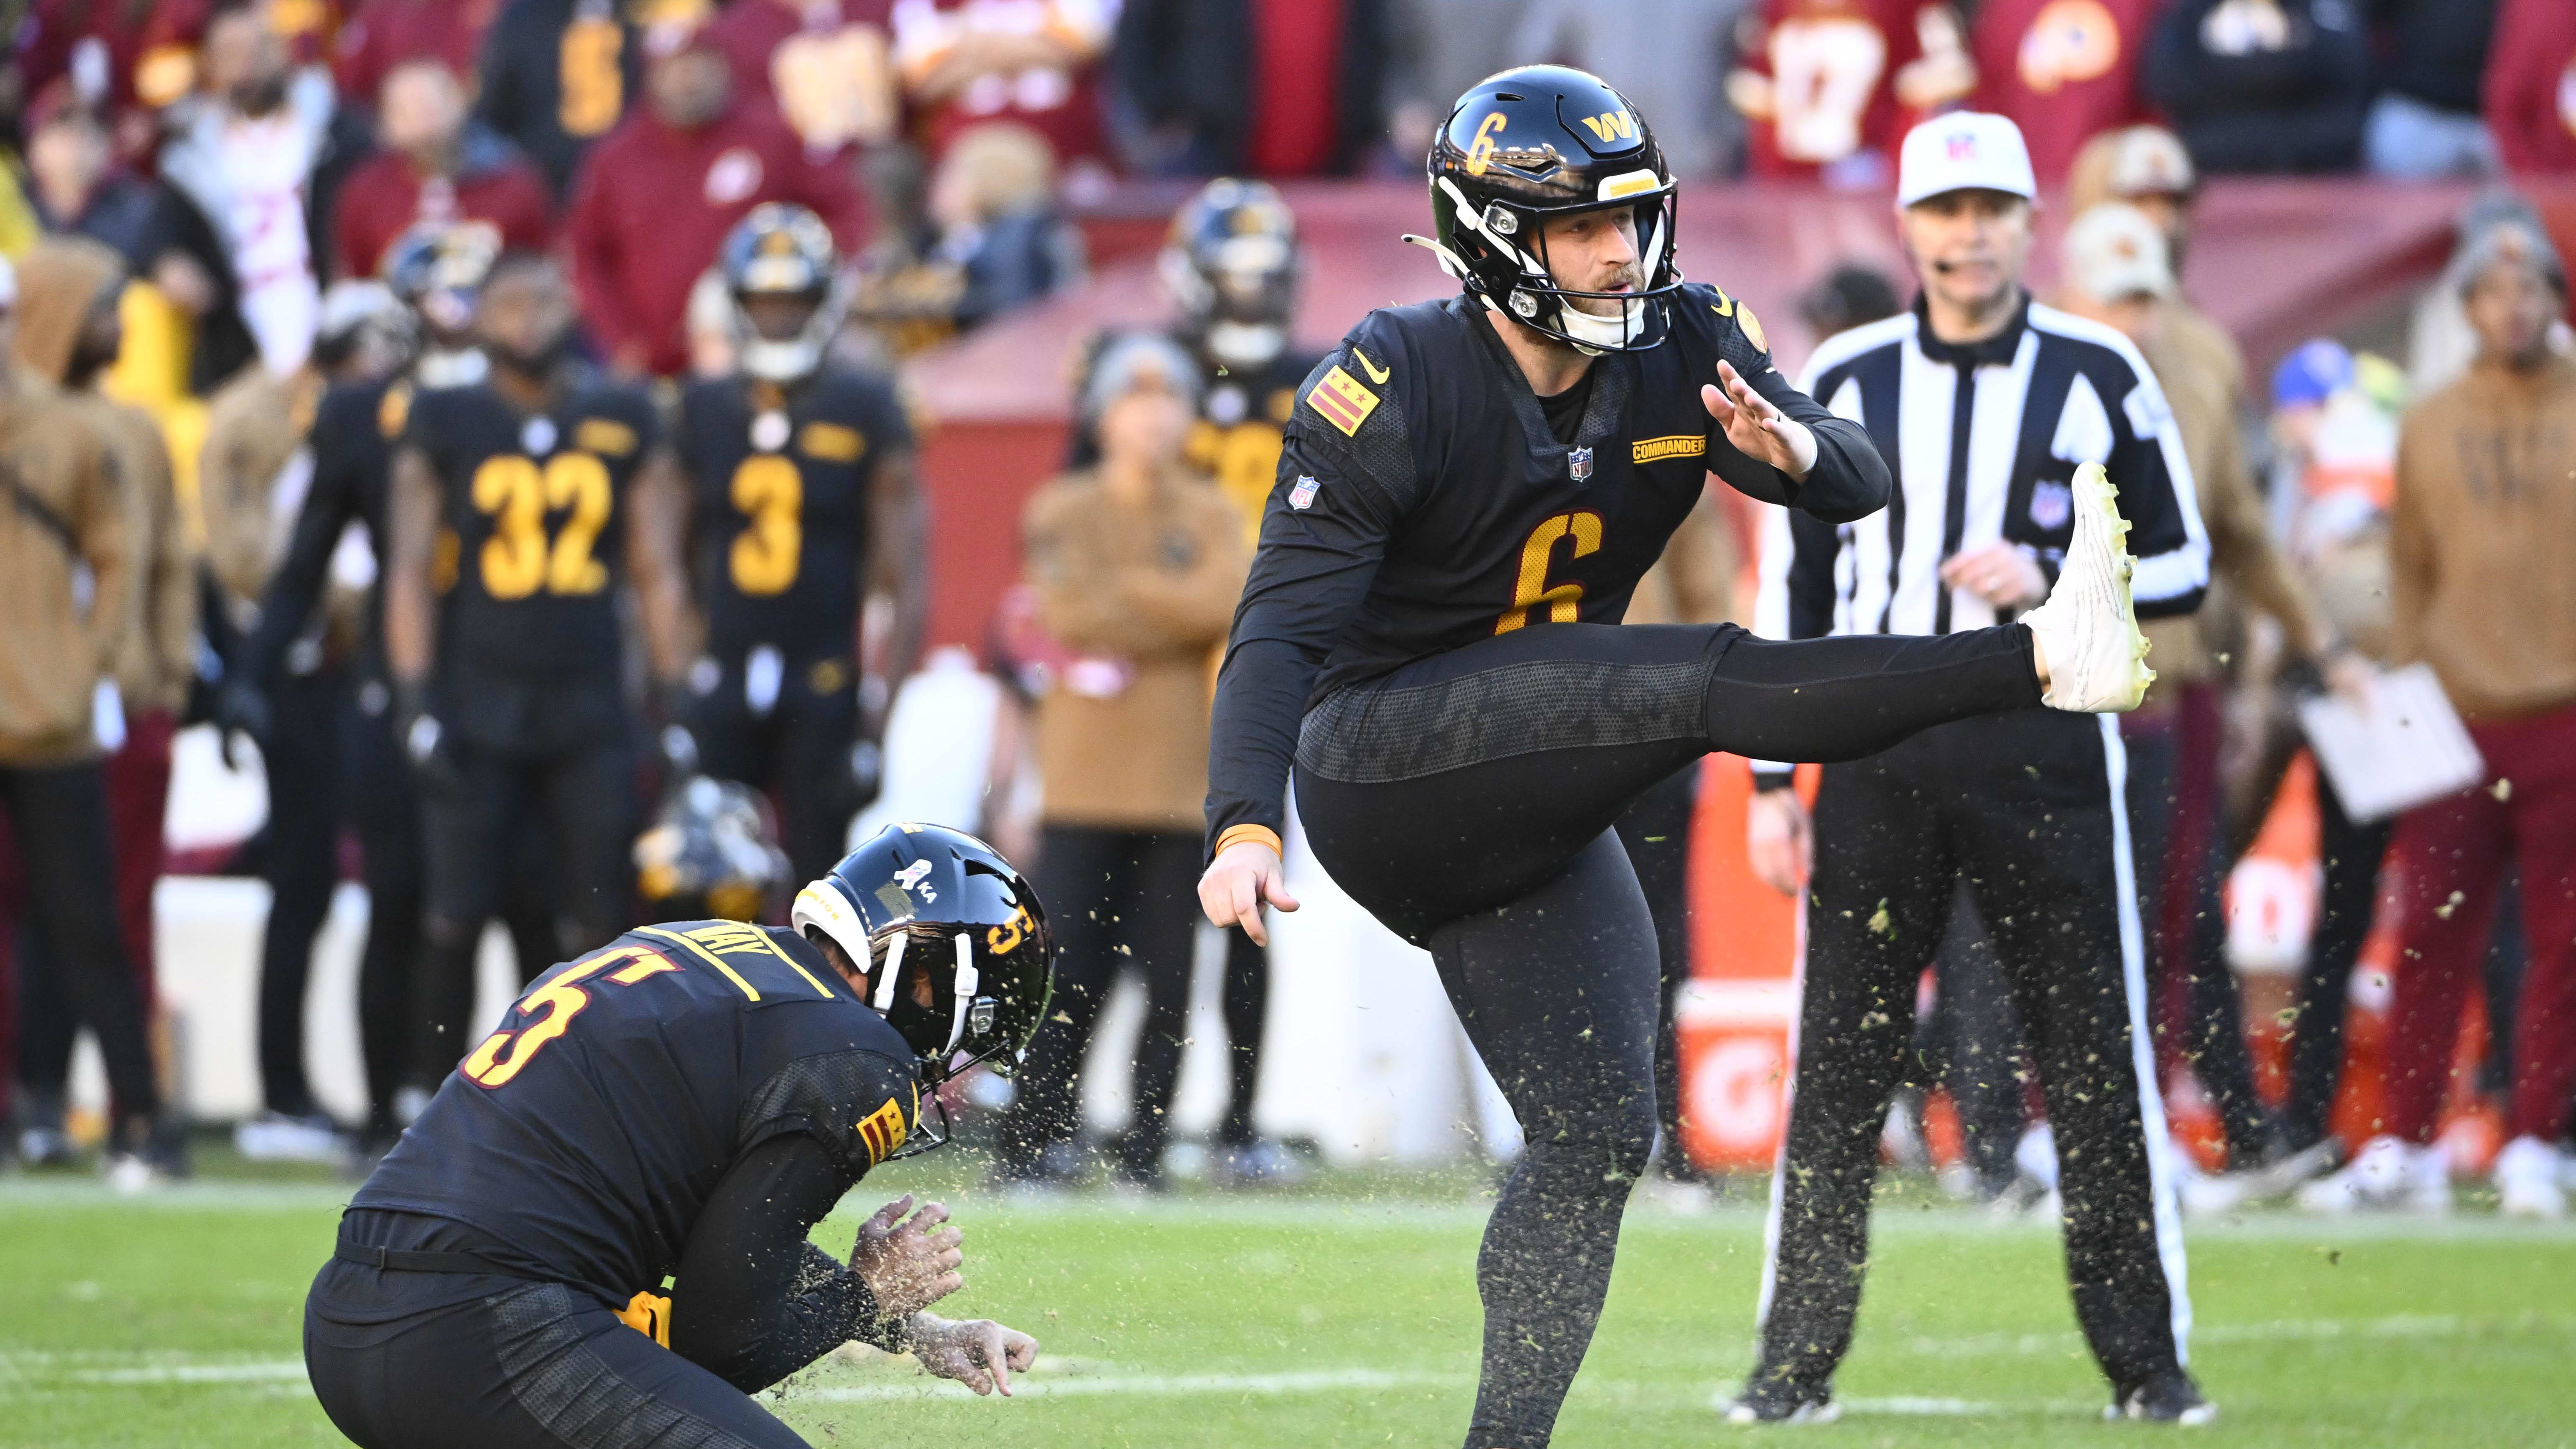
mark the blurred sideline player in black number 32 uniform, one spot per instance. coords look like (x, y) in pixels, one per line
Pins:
(516, 517)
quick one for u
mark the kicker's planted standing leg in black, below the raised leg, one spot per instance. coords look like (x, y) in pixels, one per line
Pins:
(1560, 999)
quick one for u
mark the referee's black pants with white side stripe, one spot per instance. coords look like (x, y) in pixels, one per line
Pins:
(2029, 811)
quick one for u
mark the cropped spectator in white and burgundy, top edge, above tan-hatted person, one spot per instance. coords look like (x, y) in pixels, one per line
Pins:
(1006, 61)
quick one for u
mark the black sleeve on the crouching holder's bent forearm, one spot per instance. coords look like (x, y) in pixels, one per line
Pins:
(756, 1301)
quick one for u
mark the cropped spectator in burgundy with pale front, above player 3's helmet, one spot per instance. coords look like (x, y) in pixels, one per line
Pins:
(823, 63)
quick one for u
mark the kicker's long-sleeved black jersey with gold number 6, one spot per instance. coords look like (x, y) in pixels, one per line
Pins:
(1423, 504)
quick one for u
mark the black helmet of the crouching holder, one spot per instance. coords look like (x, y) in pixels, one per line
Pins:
(939, 914)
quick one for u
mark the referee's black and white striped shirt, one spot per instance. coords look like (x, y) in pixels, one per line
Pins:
(1982, 442)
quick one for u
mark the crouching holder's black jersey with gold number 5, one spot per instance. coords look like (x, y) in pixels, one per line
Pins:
(591, 1128)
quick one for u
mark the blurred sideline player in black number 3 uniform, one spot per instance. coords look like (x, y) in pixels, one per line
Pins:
(802, 501)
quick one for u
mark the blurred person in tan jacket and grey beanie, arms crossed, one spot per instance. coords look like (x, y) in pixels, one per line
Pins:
(1137, 566)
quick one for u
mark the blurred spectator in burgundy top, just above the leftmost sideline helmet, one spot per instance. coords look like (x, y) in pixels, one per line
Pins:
(437, 166)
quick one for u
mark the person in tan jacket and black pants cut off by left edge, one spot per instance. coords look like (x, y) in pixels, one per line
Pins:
(66, 589)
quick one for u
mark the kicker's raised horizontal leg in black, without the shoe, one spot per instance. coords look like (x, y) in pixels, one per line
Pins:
(1508, 757)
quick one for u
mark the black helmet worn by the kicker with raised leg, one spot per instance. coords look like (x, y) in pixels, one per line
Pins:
(1534, 143)
